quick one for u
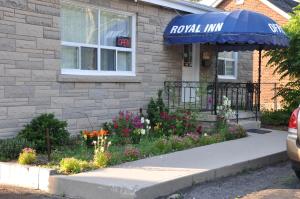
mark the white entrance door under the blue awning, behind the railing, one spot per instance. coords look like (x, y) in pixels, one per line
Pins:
(190, 72)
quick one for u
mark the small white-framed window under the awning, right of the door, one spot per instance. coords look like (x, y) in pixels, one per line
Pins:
(227, 65)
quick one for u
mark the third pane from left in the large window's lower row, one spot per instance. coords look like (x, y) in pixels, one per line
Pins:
(108, 60)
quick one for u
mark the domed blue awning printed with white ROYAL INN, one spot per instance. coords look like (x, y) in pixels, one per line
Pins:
(237, 30)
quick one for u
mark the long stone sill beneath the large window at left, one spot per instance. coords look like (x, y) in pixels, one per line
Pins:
(98, 79)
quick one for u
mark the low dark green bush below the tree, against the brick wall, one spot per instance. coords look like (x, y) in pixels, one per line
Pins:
(275, 118)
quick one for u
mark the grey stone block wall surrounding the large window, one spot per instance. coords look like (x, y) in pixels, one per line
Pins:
(30, 81)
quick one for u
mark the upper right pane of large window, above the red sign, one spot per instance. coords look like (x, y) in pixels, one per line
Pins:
(112, 26)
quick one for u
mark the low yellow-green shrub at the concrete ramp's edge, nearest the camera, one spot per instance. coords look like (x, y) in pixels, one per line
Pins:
(73, 165)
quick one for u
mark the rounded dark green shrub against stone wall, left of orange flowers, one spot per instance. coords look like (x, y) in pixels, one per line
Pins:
(35, 132)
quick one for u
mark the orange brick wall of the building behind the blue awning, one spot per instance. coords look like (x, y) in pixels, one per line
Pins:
(268, 78)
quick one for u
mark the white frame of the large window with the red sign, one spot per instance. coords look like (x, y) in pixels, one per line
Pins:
(98, 72)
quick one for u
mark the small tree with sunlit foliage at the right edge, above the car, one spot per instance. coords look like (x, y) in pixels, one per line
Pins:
(286, 62)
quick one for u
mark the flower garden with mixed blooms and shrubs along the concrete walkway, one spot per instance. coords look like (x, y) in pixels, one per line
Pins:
(127, 137)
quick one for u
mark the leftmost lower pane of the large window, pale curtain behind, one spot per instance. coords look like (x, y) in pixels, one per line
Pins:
(69, 57)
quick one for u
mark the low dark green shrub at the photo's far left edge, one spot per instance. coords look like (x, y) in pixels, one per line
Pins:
(11, 148)
